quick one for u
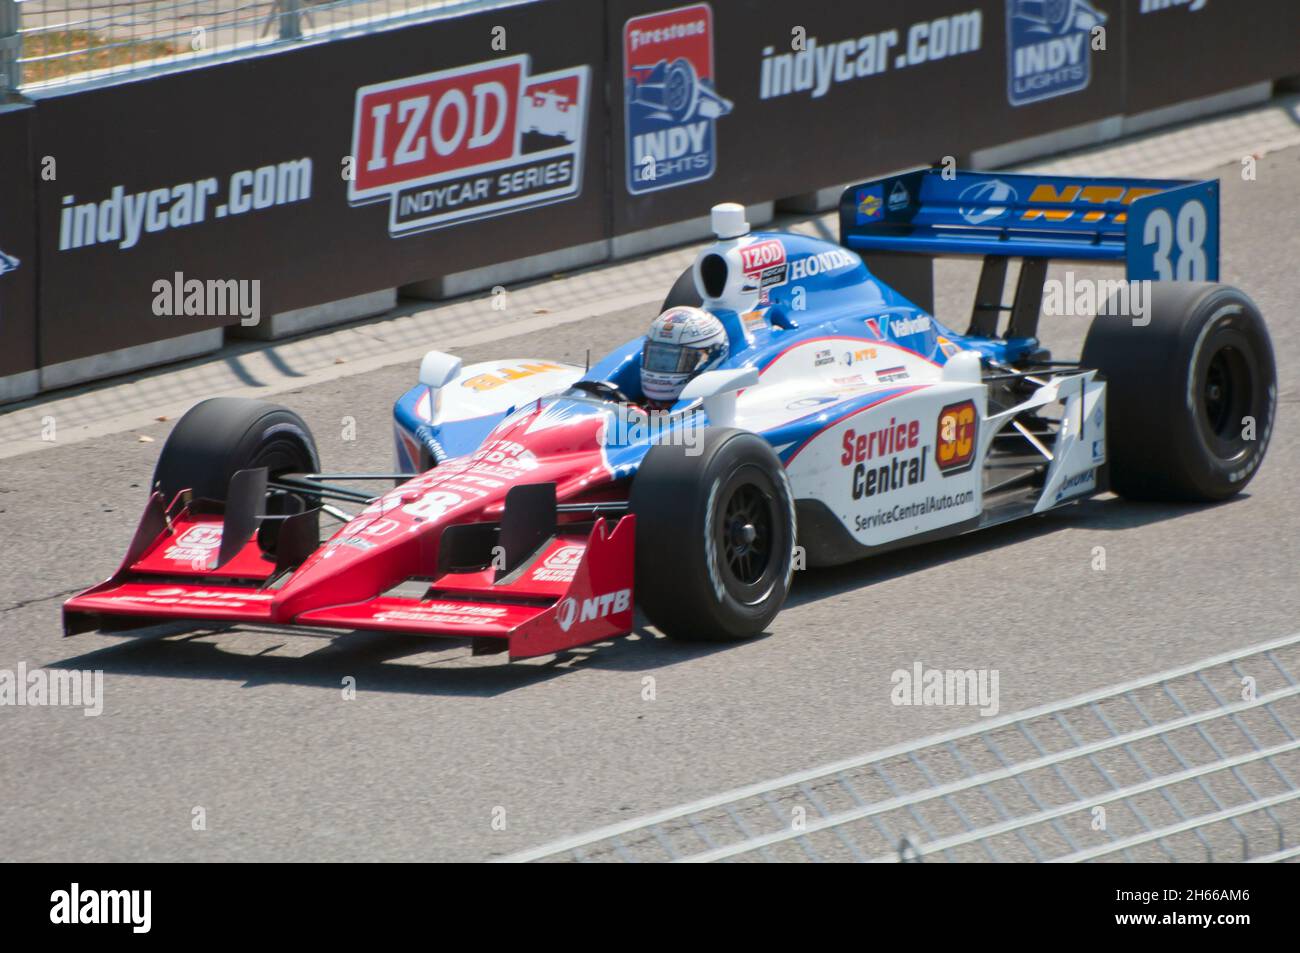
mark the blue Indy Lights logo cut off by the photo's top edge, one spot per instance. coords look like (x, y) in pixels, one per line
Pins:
(1048, 49)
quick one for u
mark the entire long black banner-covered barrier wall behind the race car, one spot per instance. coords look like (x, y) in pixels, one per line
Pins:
(396, 158)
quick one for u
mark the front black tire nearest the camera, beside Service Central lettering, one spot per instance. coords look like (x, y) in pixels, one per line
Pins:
(716, 536)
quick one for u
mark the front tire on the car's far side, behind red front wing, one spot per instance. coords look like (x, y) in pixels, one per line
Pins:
(224, 435)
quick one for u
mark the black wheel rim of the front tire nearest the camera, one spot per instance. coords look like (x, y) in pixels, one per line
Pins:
(748, 538)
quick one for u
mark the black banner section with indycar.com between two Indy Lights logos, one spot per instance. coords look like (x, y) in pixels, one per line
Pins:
(749, 101)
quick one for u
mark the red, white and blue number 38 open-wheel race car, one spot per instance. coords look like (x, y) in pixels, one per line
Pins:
(540, 504)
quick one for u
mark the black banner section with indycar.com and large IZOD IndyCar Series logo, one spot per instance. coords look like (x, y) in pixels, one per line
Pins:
(307, 176)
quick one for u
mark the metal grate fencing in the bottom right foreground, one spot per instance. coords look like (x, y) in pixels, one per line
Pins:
(1194, 764)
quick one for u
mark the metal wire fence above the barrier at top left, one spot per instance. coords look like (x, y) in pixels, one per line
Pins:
(57, 42)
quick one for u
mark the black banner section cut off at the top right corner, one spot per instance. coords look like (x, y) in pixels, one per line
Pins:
(1180, 50)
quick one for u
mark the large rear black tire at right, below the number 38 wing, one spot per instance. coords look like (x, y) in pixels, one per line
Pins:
(1190, 397)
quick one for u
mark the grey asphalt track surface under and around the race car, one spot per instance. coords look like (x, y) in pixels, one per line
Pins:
(448, 757)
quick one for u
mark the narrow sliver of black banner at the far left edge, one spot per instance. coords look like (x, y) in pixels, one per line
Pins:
(18, 244)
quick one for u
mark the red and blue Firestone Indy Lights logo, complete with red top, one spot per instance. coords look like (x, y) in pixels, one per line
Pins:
(670, 98)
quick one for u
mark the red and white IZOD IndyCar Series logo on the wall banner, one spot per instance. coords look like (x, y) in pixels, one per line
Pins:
(470, 142)
